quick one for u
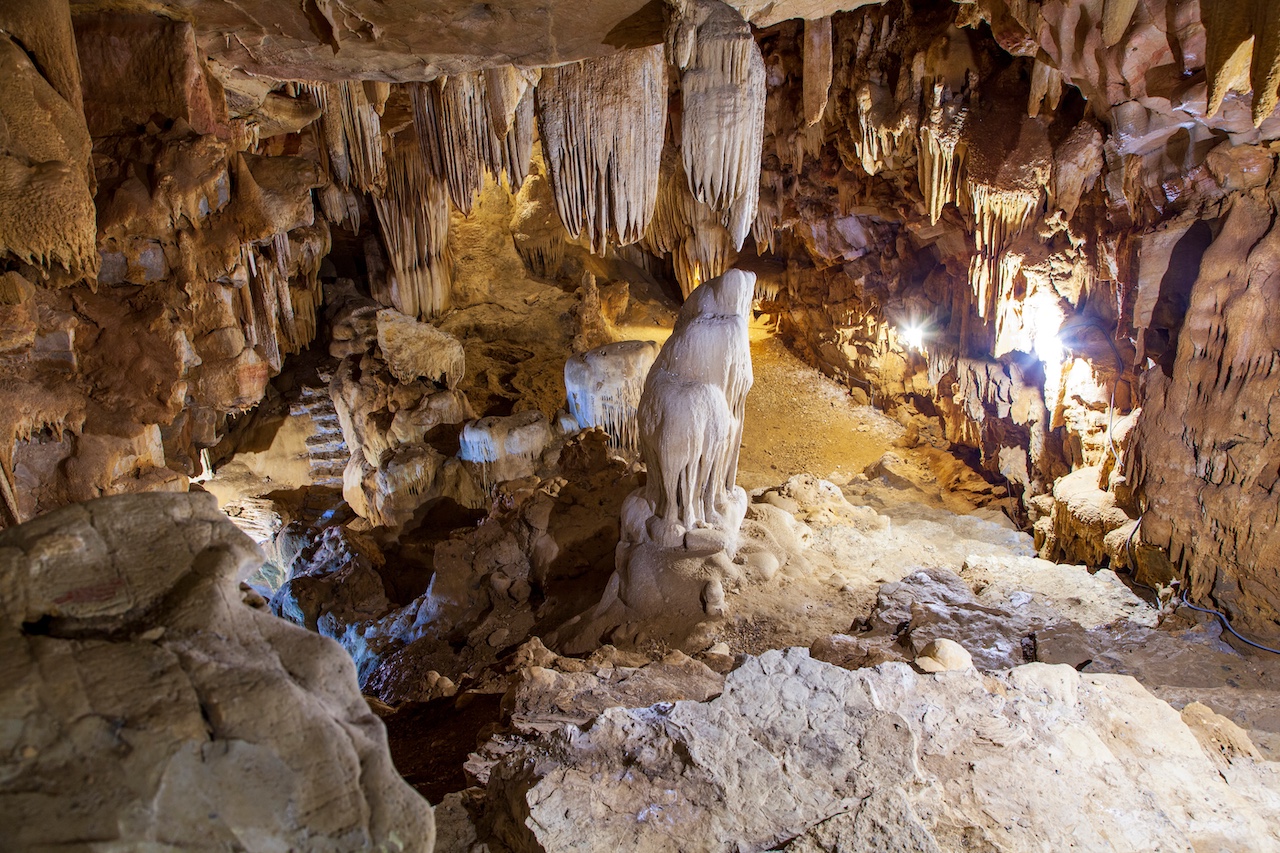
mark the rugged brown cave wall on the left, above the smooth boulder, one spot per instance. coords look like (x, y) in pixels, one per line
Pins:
(167, 299)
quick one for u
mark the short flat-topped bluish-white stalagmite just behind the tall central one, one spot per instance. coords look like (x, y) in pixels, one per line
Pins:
(604, 390)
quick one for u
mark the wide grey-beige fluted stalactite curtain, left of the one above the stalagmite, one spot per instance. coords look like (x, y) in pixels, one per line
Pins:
(602, 126)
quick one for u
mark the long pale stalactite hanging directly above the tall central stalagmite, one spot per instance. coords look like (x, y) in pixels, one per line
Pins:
(723, 130)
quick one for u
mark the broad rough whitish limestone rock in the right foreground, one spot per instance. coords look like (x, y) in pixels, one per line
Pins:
(885, 759)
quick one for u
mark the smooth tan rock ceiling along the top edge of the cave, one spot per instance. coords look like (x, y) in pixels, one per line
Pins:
(419, 40)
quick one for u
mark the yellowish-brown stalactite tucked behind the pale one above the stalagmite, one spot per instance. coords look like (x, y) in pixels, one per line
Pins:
(698, 239)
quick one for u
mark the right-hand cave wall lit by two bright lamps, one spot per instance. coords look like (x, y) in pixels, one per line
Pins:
(1022, 230)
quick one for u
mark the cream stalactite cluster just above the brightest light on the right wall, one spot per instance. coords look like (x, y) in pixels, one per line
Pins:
(1000, 216)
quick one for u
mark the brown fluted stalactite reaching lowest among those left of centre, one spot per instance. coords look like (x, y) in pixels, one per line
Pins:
(414, 216)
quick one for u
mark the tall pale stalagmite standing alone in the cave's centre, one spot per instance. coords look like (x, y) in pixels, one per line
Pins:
(680, 532)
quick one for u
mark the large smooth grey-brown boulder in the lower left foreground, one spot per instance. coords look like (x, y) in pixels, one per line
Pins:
(143, 704)
